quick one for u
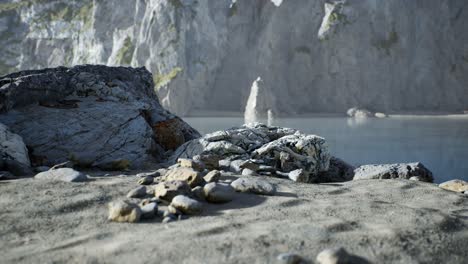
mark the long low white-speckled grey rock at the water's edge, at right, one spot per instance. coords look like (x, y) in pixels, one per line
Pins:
(393, 171)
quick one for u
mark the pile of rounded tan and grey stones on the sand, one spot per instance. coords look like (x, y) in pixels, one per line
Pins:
(182, 190)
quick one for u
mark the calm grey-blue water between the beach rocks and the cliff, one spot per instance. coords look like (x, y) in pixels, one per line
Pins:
(440, 143)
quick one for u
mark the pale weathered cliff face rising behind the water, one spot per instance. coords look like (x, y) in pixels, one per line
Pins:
(317, 56)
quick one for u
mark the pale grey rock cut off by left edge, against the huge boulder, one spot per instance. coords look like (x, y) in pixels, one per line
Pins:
(12, 147)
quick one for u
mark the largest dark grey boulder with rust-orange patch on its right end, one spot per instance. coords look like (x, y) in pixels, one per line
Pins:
(107, 117)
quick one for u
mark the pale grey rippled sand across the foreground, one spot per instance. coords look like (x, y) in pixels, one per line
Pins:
(385, 221)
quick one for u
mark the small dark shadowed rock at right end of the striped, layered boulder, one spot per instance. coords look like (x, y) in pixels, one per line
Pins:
(338, 171)
